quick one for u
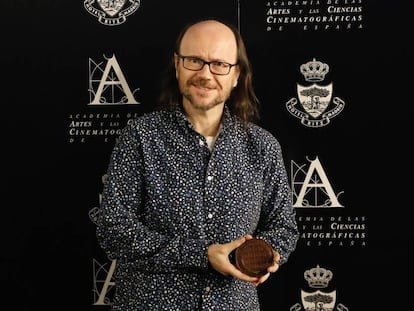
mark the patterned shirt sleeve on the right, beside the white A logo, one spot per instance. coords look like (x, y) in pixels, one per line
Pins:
(277, 223)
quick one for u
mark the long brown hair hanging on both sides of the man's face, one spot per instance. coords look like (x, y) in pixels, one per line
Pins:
(242, 102)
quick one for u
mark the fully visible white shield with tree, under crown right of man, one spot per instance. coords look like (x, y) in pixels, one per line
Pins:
(314, 98)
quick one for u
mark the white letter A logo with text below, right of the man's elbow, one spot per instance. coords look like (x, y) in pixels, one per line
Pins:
(327, 223)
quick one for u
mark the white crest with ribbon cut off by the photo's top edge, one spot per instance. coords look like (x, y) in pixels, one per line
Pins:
(111, 12)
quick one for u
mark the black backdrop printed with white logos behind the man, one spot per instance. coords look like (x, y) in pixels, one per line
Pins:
(53, 168)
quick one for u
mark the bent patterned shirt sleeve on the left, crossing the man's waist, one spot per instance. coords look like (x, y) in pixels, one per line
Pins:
(120, 230)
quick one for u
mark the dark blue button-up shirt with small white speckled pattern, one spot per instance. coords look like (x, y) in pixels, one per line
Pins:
(167, 198)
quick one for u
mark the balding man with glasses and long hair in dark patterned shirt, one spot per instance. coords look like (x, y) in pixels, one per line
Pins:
(189, 183)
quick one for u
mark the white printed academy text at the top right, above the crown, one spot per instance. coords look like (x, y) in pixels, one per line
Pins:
(314, 15)
